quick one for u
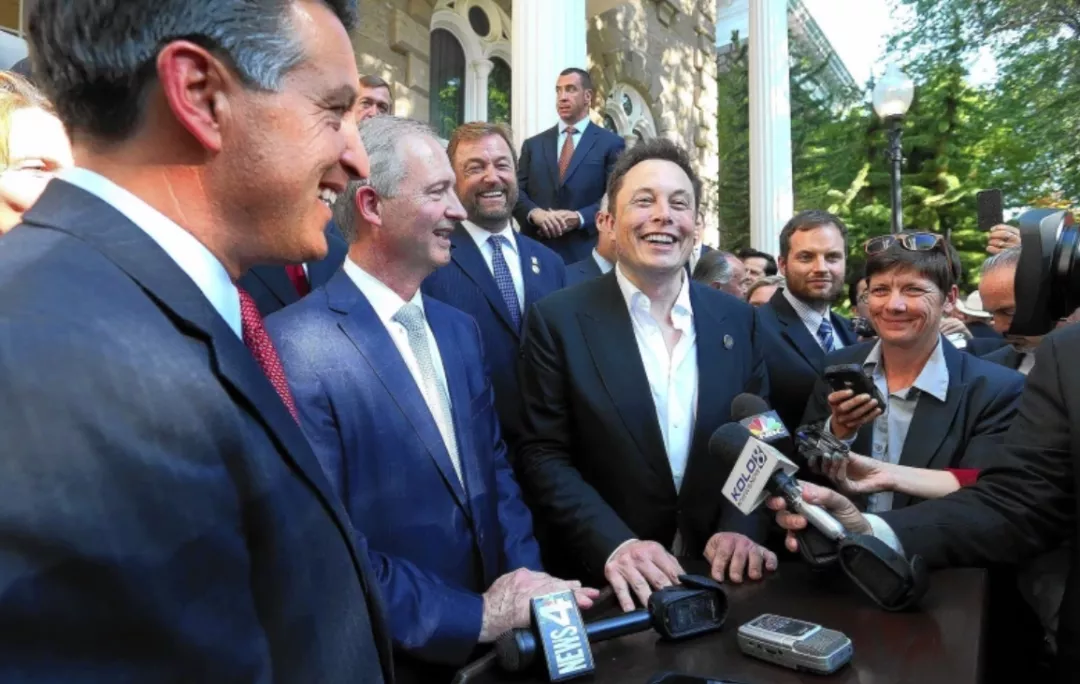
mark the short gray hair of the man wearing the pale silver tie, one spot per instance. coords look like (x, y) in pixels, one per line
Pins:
(383, 138)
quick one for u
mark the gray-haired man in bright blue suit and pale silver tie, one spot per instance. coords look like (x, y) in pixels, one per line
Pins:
(394, 396)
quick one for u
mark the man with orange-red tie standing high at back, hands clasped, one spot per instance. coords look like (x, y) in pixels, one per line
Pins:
(564, 172)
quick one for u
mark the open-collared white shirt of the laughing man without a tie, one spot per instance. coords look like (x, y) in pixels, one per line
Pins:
(673, 379)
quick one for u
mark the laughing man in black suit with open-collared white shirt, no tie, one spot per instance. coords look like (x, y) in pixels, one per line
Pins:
(625, 379)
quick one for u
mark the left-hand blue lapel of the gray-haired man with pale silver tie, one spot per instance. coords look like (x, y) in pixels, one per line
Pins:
(366, 330)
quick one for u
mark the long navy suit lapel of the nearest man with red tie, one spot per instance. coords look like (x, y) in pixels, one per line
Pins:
(87, 218)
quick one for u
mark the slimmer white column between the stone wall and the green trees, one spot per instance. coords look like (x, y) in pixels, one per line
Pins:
(772, 198)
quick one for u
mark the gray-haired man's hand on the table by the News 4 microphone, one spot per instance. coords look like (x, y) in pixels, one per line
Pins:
(507, 600)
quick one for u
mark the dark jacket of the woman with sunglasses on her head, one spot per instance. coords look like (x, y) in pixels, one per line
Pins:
(980, 405)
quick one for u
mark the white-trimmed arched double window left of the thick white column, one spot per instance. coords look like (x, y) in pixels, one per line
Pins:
(482, 32)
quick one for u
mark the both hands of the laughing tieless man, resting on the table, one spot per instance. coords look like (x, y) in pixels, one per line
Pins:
(644, 567)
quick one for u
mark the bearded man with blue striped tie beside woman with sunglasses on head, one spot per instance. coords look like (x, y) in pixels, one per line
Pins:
(802, 327)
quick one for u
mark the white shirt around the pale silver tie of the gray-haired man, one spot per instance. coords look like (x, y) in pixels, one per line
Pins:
(387, 304)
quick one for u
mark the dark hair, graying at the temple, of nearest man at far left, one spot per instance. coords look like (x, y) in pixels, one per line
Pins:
(97, 60)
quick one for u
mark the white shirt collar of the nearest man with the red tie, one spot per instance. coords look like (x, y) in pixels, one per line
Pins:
(193, 257)
